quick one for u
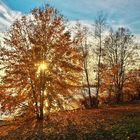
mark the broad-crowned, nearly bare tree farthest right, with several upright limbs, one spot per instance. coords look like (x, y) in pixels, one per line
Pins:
(120, 56)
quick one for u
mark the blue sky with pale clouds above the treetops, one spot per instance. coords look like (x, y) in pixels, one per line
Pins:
(119, 12)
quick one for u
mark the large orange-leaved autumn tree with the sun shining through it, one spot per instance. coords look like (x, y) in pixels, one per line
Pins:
(41, 63)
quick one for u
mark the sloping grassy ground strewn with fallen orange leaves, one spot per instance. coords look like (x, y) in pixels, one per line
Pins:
(120, 122)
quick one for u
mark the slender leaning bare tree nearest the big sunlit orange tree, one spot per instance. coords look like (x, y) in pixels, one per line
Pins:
(82, 32)
